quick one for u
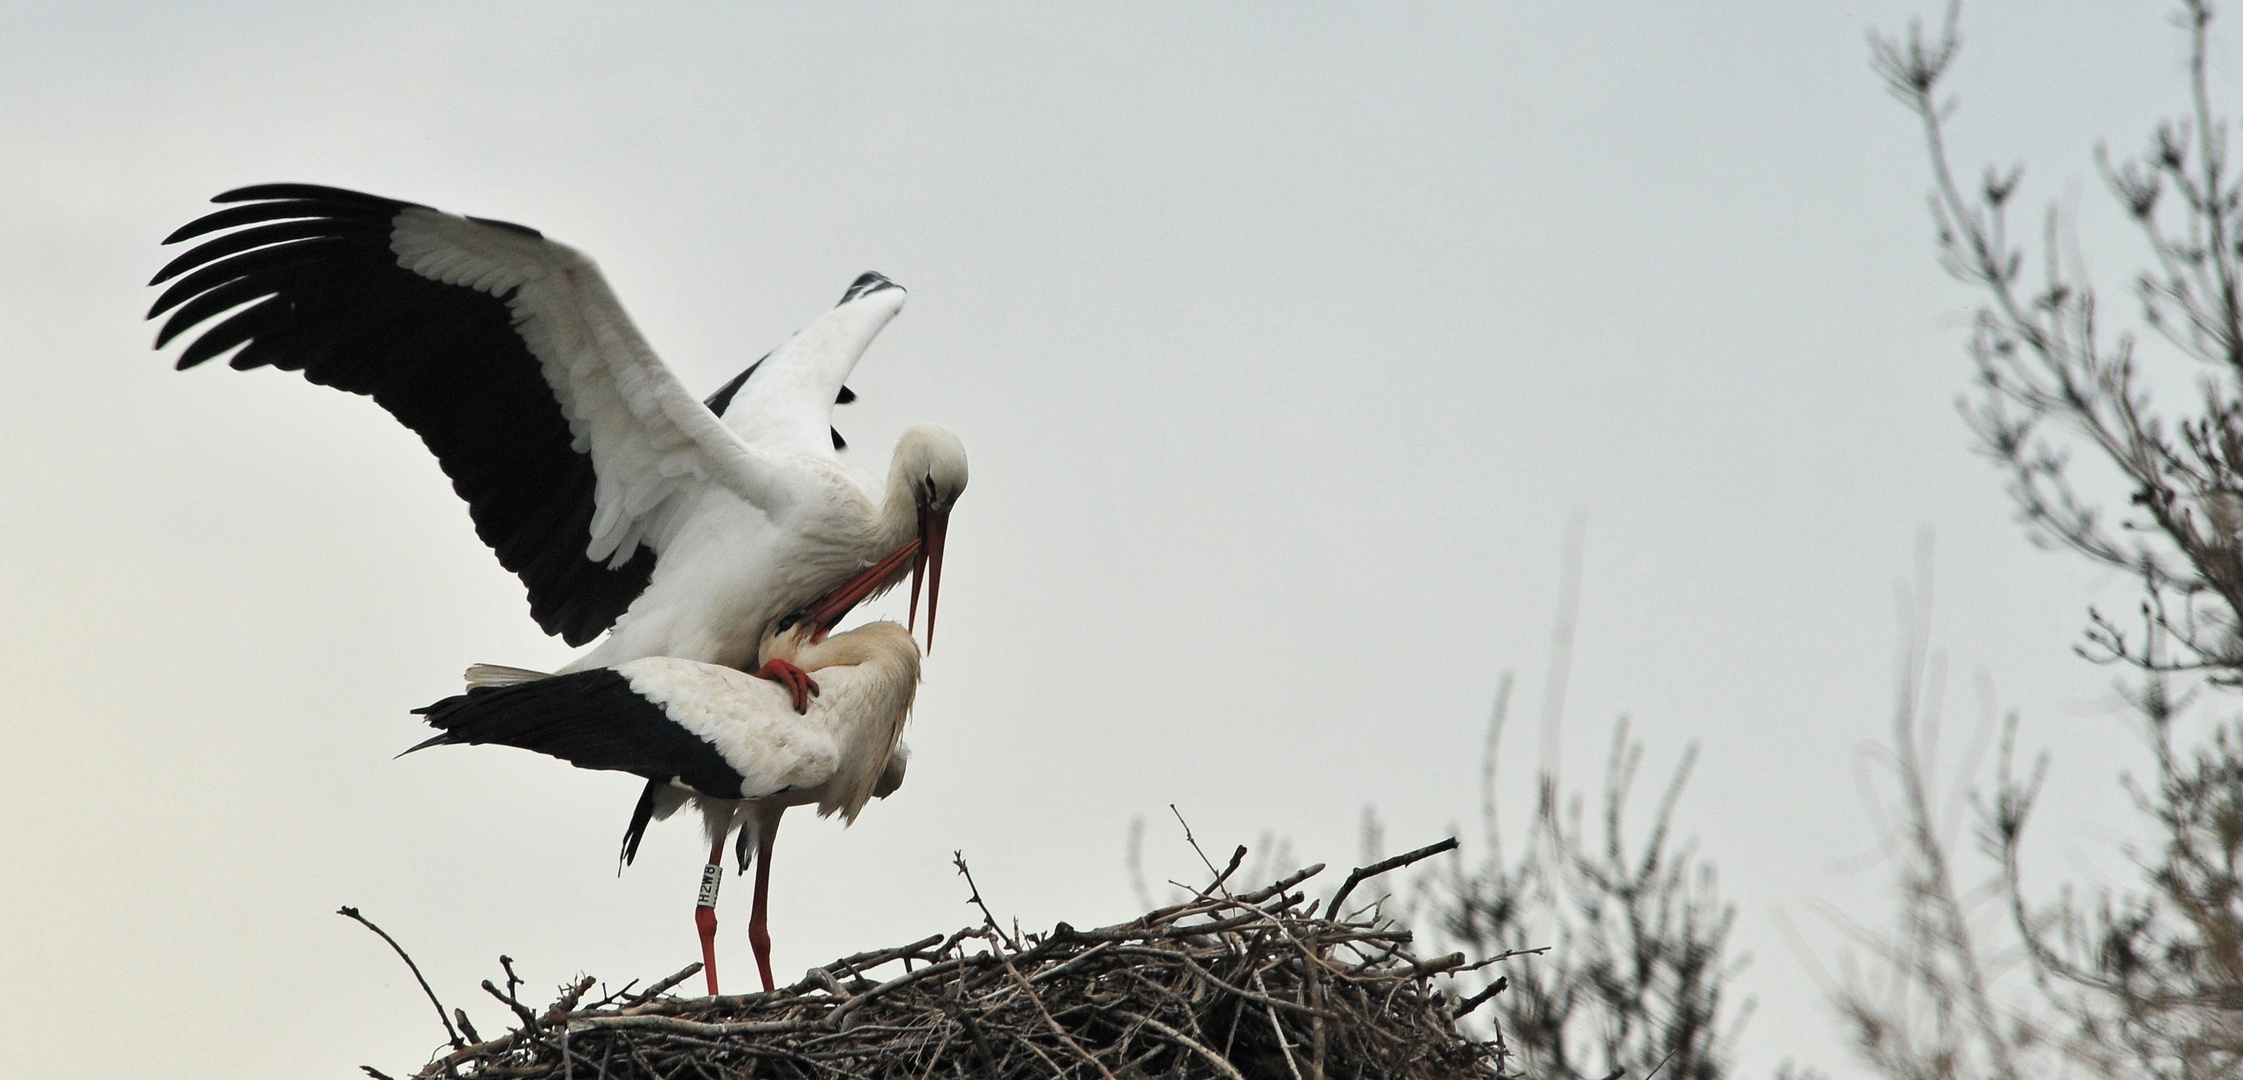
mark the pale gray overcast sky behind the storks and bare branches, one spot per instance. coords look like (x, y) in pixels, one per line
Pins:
(1284, 342)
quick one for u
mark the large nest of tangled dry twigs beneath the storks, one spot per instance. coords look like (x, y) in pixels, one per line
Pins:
(1237, 987)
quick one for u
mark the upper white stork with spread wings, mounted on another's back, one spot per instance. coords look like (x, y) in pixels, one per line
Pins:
(690, 529)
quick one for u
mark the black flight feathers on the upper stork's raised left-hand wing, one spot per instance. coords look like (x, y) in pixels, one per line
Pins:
(313, 286)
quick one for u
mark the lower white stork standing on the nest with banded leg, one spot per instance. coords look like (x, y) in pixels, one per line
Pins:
(739, 749)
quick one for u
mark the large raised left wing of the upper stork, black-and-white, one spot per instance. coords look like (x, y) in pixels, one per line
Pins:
(508, 354)
